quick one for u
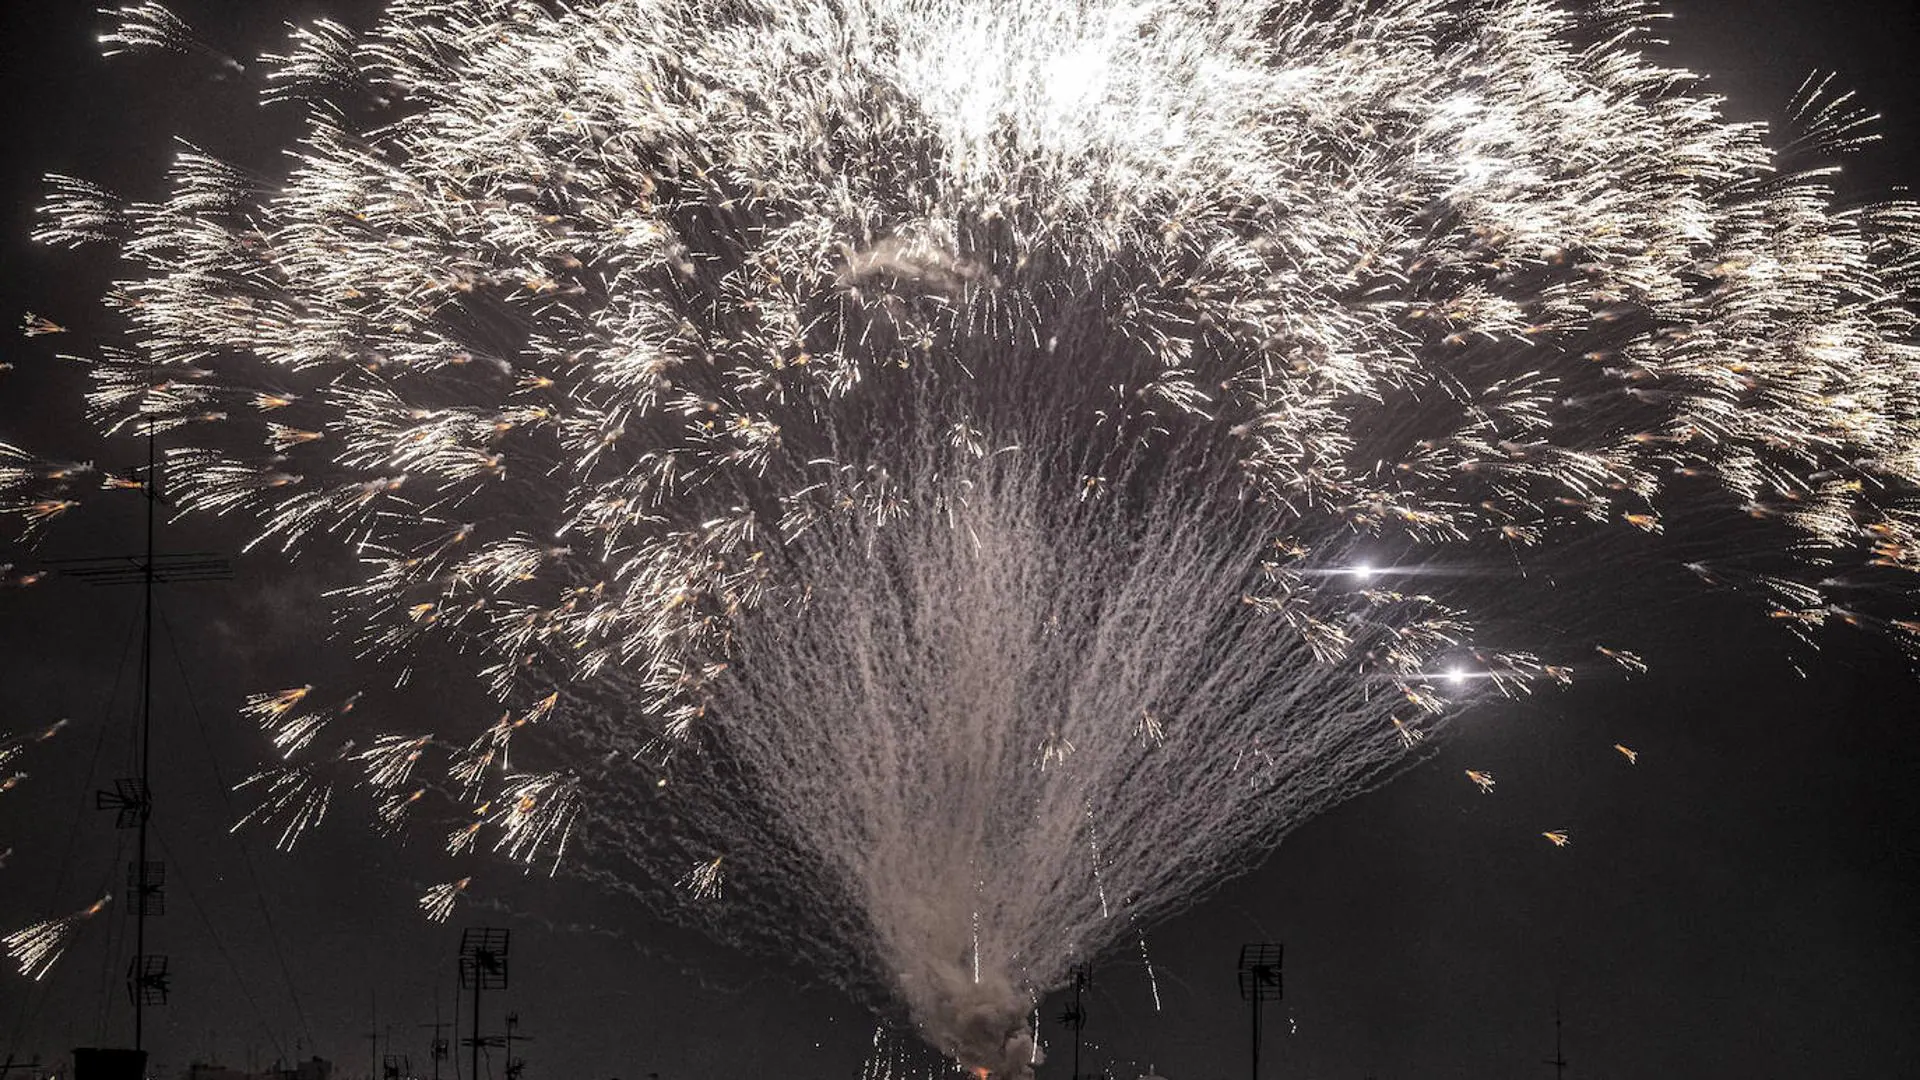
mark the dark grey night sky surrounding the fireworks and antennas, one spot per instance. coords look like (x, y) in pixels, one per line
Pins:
(1746, 902)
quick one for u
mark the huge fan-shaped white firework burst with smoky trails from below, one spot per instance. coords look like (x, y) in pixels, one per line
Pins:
(965, 478)
